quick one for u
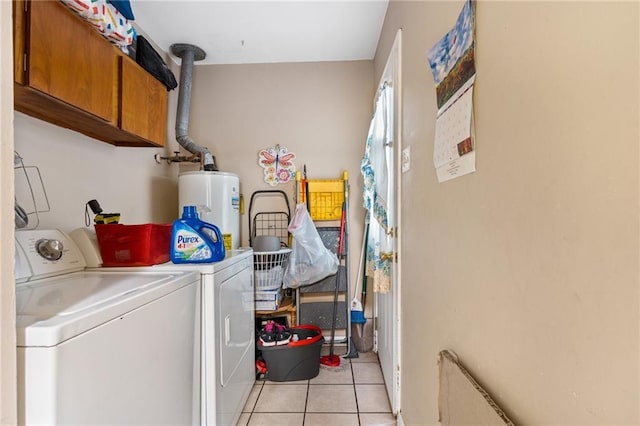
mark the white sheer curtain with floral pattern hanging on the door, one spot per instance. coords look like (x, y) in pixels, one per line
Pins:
(376, 169)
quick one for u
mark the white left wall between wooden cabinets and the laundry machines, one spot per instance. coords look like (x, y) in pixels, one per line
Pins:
(76, 169)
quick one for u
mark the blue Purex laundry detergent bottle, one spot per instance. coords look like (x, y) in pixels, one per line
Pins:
(195, 241)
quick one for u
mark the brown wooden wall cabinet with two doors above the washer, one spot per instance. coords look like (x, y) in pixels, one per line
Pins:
(107, 96)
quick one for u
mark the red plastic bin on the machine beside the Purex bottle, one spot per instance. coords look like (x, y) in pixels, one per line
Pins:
(134, 245)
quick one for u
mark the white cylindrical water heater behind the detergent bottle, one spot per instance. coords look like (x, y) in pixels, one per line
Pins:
(216, 196)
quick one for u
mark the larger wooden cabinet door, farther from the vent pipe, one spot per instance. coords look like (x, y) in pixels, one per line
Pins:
(71, 62)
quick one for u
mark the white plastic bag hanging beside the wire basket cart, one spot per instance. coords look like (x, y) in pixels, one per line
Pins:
(310, 261)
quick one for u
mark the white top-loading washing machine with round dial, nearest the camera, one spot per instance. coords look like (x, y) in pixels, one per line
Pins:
(99, 347)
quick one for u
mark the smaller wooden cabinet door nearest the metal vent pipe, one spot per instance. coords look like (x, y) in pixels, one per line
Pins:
(143, 103)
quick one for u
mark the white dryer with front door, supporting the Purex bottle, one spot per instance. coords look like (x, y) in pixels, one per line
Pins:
(228, 330)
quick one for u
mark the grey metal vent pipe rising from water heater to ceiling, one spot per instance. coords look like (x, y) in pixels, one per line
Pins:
(189, 54)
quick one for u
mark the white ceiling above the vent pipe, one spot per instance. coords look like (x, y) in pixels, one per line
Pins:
(265, 31)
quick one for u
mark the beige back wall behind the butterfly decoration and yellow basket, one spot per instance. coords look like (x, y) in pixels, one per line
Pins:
(320, 111)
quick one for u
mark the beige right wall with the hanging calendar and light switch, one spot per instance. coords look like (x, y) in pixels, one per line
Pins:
(528, 268)
